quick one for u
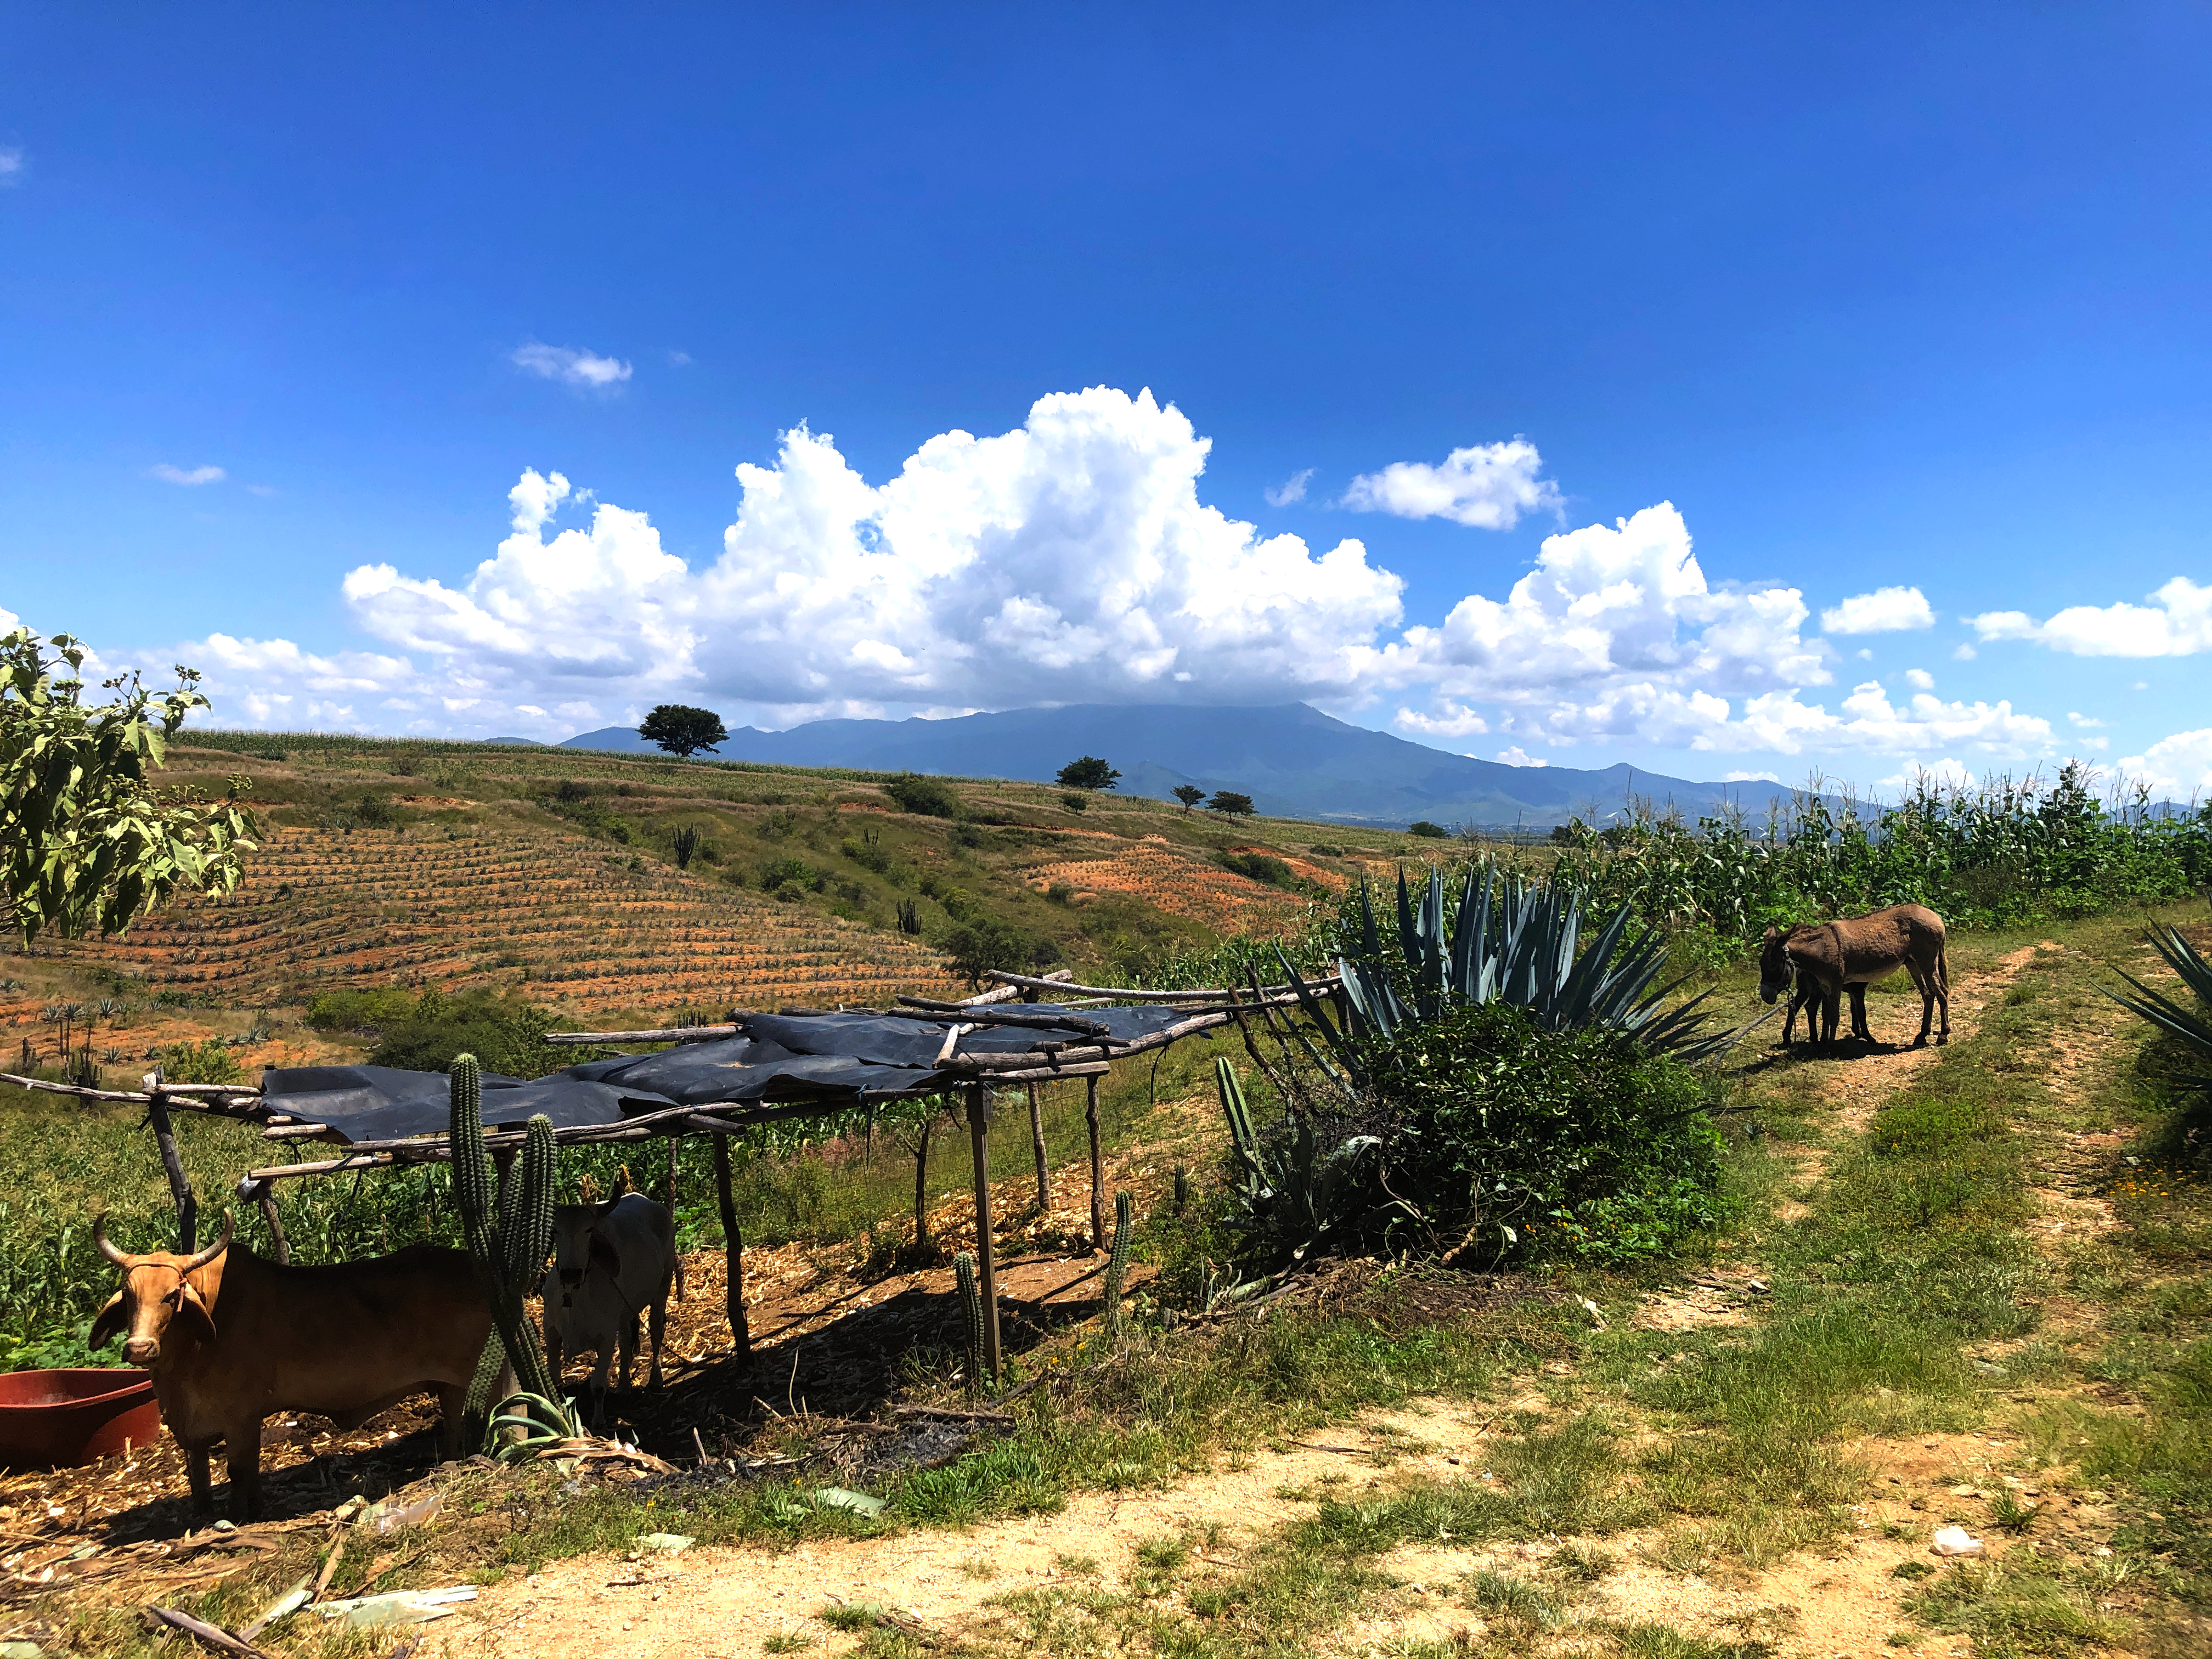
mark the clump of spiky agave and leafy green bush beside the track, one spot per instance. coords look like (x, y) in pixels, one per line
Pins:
(1488, 1067)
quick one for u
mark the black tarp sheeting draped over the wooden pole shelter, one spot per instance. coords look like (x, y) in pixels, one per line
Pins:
(835, 1058)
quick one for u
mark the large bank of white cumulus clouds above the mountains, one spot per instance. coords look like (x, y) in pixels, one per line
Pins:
(1072, 561)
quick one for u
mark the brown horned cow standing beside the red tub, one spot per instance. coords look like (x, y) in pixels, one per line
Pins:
(231, 1339)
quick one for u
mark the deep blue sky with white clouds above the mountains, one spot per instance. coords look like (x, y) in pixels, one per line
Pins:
(397, 368)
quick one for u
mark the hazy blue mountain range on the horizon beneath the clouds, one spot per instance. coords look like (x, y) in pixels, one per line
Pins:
(1293, 760)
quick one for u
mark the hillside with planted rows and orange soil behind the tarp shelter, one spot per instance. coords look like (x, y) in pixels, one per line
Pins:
(612, 886)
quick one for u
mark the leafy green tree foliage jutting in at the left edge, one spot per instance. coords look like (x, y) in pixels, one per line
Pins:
(87, 842)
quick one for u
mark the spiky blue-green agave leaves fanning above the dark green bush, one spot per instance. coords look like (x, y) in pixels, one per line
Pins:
(1512, 941)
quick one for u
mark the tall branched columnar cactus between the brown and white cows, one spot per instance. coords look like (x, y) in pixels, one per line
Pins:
(510, 1249)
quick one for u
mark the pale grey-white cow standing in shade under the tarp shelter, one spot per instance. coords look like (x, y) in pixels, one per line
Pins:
(609, 1264)
